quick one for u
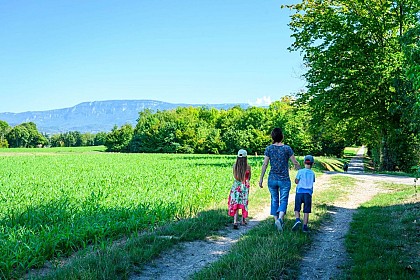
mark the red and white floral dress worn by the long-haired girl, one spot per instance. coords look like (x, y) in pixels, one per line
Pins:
(238, 197)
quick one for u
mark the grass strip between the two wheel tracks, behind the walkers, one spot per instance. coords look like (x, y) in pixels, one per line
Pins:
(263, 253)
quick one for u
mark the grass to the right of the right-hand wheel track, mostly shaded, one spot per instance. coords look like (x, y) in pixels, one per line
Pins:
(383, 239)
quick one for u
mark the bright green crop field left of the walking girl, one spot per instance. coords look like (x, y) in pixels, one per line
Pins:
(54, 202)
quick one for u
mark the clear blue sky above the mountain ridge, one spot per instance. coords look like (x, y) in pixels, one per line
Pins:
(56, 54)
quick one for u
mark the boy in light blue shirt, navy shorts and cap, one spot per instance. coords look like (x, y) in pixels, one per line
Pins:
(305, 179)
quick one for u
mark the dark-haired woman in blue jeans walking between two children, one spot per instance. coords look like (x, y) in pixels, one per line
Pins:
(278, 155)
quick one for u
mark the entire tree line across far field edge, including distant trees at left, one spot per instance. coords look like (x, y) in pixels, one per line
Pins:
(202, 131)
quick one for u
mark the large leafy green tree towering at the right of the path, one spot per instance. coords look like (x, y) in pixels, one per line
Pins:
(361, 58)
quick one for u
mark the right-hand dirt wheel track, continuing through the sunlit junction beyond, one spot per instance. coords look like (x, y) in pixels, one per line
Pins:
(328, 254)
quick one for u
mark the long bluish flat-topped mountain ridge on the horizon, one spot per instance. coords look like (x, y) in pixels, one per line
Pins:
(97, 116)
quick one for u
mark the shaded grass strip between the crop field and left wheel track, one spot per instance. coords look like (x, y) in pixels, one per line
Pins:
(118, 260)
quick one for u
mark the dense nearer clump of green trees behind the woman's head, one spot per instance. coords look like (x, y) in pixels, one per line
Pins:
(208, 131)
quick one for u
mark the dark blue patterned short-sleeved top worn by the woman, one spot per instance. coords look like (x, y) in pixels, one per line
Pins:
(279, 161)
